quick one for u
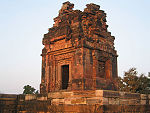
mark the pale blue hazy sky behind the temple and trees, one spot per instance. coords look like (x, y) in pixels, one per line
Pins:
(24, 22)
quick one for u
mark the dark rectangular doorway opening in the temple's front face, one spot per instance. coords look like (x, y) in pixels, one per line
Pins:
(65, 76)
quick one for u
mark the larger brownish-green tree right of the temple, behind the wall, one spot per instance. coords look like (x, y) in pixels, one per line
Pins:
(131, 82)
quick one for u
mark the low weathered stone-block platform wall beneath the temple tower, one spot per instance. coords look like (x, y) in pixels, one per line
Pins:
(98, 101)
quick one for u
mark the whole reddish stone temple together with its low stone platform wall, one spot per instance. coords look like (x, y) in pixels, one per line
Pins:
(79, 70)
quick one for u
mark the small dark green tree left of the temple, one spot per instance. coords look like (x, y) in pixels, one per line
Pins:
(29, 90)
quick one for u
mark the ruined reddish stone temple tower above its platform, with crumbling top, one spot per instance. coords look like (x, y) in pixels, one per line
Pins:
(79, 52)
